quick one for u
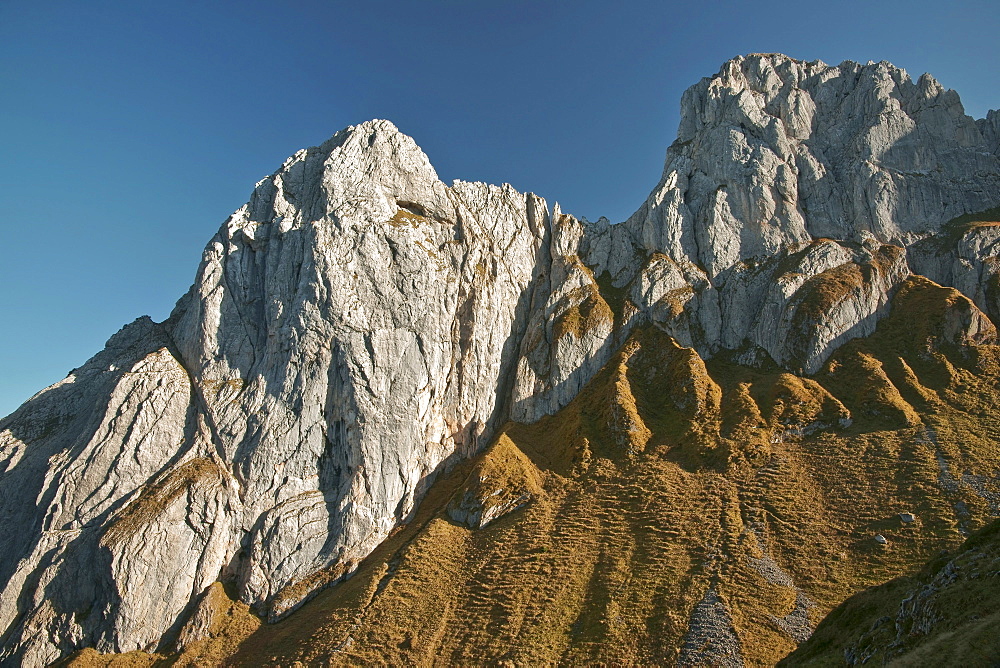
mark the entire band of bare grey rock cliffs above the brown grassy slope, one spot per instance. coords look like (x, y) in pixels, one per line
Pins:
(359, 326)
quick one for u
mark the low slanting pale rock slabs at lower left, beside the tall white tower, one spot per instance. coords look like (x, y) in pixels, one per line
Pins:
(83, 561)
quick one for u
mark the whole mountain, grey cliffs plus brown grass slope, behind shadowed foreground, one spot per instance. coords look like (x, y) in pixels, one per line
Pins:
(401, 422)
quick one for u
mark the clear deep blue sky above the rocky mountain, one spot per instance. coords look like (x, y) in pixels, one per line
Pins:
(130, 130)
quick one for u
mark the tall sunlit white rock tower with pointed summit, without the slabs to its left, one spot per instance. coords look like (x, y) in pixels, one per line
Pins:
(354, 302)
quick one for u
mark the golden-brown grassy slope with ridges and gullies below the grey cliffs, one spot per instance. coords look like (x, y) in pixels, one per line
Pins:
(665, 477)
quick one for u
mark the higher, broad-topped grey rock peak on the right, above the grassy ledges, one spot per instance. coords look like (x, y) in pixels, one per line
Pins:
(773, 152)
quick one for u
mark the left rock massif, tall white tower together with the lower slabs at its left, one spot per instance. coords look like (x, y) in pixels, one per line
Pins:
(348, 332)
